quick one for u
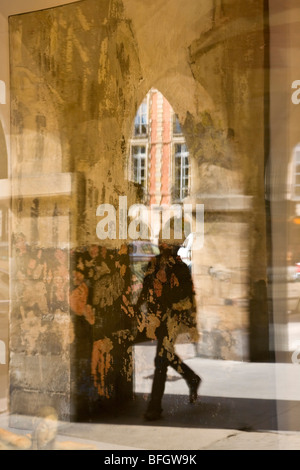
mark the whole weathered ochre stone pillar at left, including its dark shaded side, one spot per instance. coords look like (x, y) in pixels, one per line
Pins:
(70, 307)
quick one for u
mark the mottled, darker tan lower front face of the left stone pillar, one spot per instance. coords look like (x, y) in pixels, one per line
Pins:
(41, 330)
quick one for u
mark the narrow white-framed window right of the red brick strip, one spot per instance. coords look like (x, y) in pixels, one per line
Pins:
(181, 171)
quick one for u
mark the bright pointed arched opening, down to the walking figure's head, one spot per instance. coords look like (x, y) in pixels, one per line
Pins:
(159, 165)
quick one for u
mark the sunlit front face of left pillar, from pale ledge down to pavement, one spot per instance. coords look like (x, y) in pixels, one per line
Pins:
(41, 328)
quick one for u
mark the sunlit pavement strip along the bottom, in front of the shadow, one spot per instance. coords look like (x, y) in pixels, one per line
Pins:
(113, 437)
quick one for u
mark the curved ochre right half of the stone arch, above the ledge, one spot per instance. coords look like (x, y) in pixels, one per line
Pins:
(212, 144)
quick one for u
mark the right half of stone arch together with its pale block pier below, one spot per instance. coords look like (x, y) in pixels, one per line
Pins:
(218, 175)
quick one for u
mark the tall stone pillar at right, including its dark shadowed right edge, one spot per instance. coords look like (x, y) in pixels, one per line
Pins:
(233, 137)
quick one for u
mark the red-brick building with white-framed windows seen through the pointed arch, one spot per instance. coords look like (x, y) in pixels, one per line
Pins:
(159, 158)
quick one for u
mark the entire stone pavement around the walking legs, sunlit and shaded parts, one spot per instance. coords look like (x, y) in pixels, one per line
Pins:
(243, 406)
